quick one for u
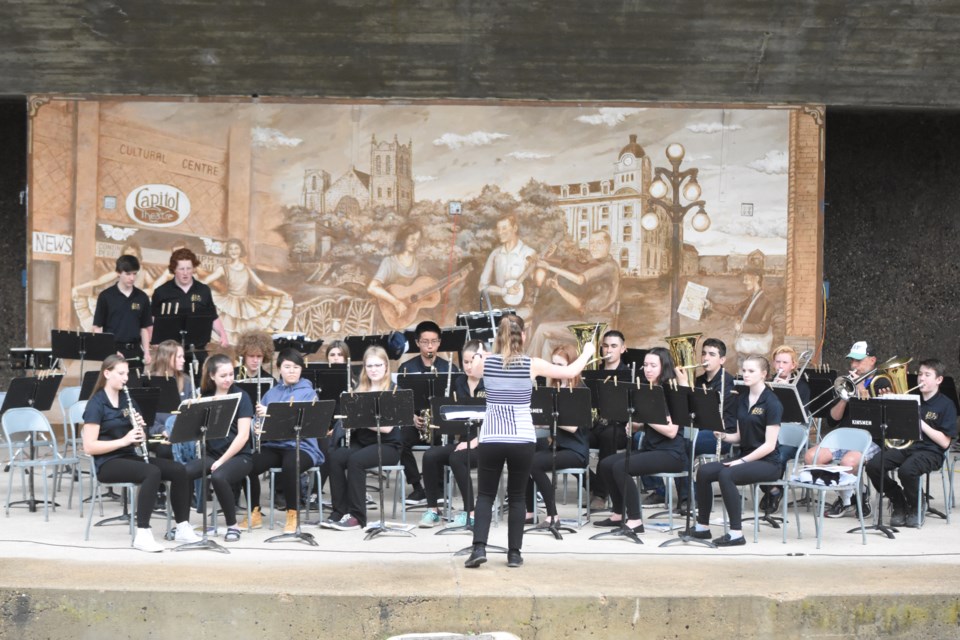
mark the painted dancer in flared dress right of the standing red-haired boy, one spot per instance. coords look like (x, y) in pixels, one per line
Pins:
(241, 311)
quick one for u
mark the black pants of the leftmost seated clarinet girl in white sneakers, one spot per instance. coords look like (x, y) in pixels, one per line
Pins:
(149, 476)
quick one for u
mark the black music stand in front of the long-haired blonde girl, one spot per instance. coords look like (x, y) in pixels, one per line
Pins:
(381, 409)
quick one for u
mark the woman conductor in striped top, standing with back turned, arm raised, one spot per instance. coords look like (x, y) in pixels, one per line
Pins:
(507, 436)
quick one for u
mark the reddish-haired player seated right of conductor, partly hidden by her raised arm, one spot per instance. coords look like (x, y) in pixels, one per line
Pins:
(572, 449)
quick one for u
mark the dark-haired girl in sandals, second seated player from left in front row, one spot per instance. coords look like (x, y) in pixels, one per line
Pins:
(228, 460)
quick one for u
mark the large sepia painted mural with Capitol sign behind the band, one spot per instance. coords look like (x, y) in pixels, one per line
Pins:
(336, 219)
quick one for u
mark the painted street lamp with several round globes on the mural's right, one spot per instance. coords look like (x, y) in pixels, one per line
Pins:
(668, 190)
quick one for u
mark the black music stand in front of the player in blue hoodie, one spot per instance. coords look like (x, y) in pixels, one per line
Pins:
(294, 421)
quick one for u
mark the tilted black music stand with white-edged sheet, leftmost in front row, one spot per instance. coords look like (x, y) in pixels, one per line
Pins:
(199, 419)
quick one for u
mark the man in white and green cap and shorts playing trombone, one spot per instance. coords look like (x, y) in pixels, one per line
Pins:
(862, 360)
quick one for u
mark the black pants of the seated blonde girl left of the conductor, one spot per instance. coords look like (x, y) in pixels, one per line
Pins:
(348, 475)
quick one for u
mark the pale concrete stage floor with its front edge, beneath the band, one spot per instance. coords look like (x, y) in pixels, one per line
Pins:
(53, 584)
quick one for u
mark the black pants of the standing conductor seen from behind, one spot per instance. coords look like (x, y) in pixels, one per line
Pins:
(491, 458)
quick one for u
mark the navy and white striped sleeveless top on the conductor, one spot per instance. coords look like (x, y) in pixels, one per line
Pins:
(508, 401)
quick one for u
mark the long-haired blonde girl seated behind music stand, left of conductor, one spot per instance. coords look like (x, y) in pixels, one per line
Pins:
(348, 465)
